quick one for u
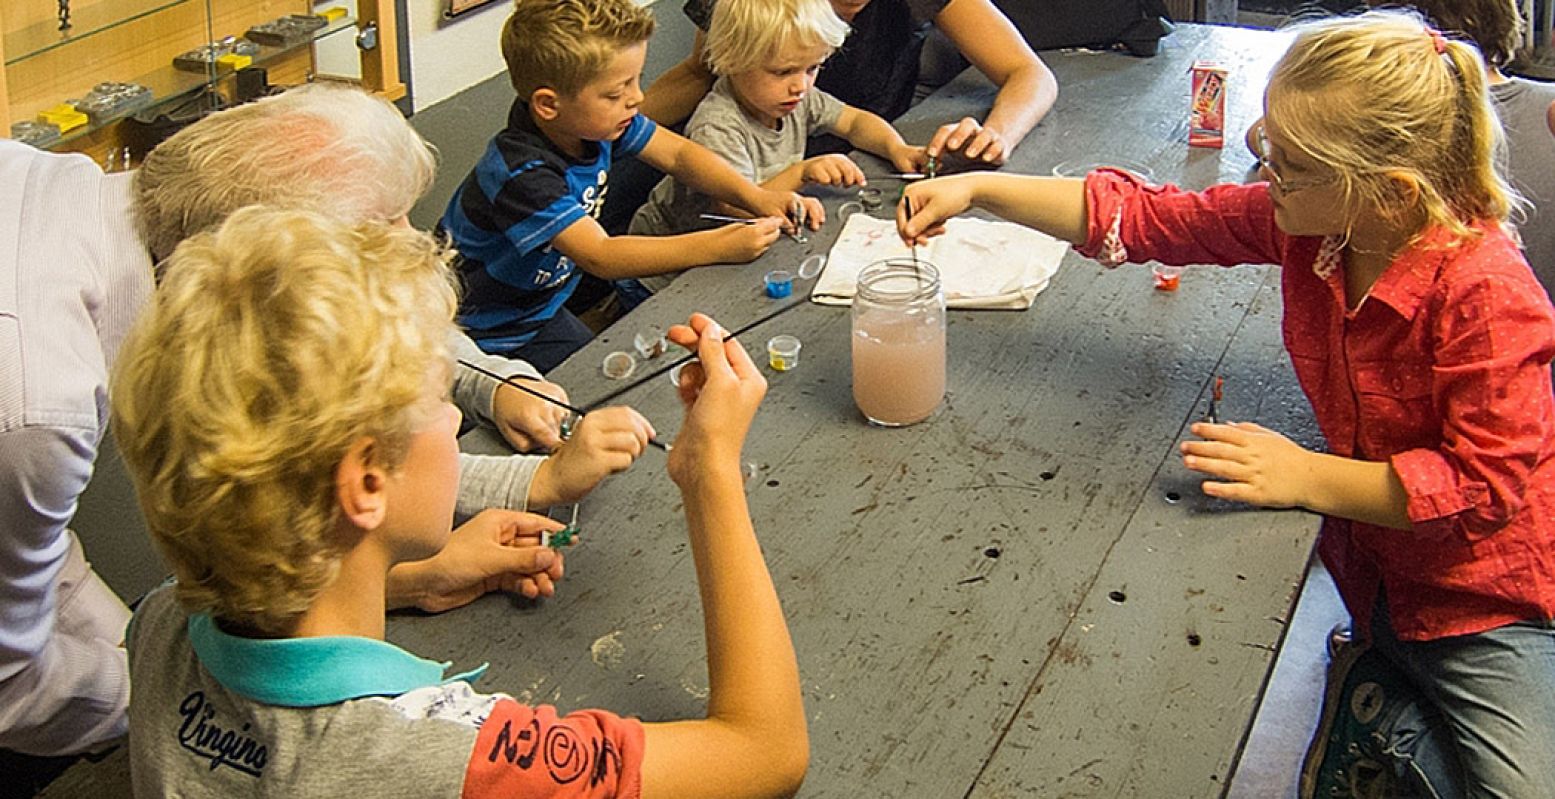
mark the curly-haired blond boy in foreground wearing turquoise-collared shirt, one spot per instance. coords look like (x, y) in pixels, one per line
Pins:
(284, 410)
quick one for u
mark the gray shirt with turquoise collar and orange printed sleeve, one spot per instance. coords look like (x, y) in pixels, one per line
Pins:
(223, 717)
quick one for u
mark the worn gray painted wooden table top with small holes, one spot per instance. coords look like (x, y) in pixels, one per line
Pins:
(1026, 595)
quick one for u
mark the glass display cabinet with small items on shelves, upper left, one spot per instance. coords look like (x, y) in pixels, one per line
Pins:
(75, 71)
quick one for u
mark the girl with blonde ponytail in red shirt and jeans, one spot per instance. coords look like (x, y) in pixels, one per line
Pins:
(1424, 343)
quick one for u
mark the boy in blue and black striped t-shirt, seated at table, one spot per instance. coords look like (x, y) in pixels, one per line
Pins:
(525, 222)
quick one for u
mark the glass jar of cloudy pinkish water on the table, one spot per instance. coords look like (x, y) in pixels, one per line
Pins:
(900, 343)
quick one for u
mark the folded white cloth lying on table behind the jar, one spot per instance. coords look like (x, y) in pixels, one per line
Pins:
(982, 265)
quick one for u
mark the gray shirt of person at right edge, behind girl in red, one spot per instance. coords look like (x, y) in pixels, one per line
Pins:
(1531, 150)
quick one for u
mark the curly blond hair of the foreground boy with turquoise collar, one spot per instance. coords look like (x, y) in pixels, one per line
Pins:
(274, 344)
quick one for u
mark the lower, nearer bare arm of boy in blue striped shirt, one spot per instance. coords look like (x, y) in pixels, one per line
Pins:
(624, 257)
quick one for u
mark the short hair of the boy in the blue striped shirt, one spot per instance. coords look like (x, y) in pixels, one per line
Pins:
(565, 44)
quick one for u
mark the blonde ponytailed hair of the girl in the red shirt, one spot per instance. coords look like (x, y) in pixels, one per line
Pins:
(1371, 99)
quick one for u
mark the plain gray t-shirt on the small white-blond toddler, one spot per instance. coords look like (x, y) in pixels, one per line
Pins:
(750, 147)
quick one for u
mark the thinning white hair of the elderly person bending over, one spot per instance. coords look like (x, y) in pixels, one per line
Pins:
(327, 148)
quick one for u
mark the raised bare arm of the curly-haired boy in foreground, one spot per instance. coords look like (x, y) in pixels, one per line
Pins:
(753, 742)
